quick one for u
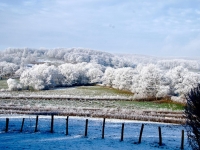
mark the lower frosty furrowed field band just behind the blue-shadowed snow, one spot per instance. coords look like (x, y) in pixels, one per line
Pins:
(119, 109)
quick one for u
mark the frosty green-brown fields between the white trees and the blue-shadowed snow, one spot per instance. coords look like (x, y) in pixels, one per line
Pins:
(93, 101)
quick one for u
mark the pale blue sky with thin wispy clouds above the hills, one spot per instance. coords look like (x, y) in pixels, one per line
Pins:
(149, 27)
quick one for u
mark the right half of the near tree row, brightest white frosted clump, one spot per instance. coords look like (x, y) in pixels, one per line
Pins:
(148, 81)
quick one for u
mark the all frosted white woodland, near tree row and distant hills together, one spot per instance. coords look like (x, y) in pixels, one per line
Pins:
(146, 77)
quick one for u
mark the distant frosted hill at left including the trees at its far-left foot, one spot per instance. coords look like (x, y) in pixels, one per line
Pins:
(12, 59)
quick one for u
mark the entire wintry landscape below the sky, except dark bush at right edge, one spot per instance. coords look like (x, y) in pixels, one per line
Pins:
(87, 84)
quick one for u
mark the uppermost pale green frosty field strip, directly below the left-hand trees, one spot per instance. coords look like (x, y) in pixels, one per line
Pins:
(77, 91)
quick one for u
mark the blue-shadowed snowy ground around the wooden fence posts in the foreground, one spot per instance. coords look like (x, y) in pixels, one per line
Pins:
(43, 139)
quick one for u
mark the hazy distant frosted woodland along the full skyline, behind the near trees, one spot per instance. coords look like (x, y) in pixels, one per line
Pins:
(23, 56)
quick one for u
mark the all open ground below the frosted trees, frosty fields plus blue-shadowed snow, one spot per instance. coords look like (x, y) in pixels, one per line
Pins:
(93, 103)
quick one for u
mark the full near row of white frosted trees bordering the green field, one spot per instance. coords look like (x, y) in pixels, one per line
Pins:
(145, 81)
